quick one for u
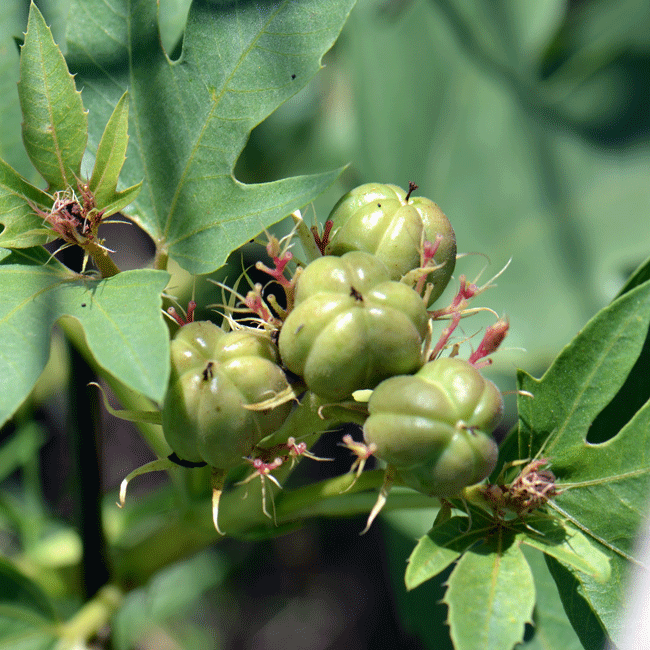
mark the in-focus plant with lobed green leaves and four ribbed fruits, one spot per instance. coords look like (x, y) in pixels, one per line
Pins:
(348, 322)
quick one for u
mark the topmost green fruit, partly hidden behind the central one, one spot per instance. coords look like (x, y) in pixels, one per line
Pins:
(380, 219)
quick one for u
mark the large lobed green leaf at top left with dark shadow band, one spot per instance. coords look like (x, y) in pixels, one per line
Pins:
(190, 118)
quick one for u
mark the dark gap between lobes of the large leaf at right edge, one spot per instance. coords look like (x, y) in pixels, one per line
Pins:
(634, 393)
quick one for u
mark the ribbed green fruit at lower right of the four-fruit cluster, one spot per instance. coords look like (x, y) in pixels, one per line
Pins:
(433, 427)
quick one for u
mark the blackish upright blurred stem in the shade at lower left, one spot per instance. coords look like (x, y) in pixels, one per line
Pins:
(84, 413)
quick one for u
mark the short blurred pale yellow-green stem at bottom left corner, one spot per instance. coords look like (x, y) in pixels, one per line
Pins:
(90, 619)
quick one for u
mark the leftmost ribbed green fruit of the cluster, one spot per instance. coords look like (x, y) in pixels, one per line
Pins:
(214, 375)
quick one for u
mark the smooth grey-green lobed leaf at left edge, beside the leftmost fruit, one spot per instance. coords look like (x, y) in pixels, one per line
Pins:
(120, 316)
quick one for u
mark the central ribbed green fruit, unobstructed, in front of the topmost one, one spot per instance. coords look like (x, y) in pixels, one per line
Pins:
(351, 326)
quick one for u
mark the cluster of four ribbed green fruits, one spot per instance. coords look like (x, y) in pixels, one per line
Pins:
(357, 318)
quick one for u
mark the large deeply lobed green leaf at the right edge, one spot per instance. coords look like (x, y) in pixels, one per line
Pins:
(604, 487)
